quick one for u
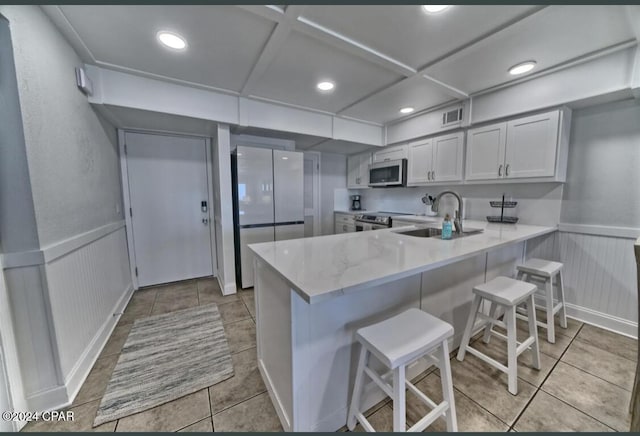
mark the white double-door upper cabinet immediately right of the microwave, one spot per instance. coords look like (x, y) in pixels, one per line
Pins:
(435, 160)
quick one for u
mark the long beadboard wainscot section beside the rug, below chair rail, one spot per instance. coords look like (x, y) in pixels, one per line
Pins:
(87, 286)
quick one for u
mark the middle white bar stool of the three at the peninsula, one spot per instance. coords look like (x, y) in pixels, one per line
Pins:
(507, 293)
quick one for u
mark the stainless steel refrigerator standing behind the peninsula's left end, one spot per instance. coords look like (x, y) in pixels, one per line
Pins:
(268, 201)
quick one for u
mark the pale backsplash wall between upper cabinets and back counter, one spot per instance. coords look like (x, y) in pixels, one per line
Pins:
(538, 203)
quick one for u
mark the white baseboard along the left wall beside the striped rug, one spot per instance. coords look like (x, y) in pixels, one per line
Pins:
(80, 372)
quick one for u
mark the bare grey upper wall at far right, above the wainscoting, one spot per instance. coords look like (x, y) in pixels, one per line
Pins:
(603, 177)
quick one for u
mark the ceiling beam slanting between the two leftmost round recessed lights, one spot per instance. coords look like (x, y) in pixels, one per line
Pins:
(272, 47)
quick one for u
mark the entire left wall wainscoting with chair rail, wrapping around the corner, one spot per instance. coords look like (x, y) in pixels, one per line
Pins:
(64, 309)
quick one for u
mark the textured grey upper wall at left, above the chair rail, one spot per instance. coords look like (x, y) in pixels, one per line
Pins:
(73, 161)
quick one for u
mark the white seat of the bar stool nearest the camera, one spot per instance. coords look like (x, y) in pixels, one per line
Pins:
(419, 331)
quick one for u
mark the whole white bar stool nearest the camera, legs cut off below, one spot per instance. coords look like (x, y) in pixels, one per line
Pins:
(396, 342)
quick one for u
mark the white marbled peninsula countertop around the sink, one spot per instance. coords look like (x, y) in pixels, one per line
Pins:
(326, 266)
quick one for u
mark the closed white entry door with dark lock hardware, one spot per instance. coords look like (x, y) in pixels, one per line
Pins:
(167, 178)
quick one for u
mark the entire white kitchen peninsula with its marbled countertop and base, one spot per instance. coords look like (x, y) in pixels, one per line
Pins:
(312, 295)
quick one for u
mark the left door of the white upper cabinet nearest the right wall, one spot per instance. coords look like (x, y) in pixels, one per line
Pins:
(485, 152)
